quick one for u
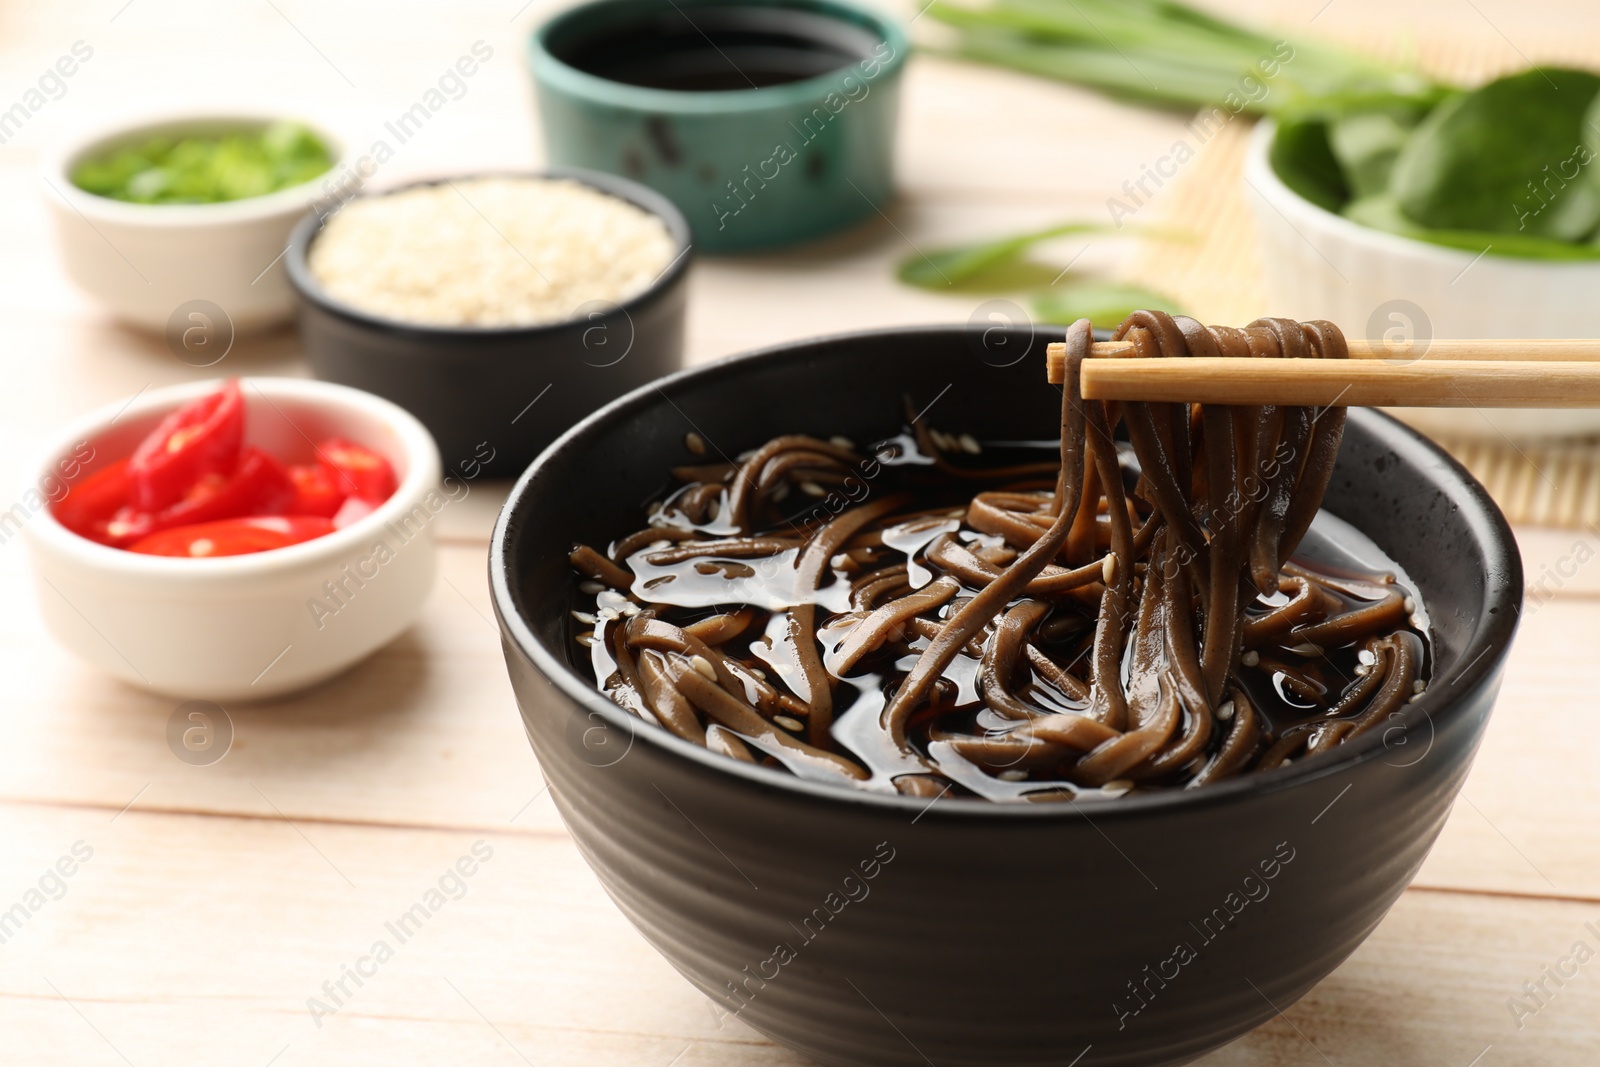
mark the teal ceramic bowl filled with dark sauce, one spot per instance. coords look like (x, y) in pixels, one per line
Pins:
(767, 122)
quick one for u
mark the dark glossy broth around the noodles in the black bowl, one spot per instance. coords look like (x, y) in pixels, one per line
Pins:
(1292, 689)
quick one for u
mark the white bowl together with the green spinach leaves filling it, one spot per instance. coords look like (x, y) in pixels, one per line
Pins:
(1473, 218)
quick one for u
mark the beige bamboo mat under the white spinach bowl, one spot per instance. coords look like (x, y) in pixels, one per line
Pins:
(1218, 274)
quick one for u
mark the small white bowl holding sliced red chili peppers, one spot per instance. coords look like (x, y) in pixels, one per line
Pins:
(246, 626)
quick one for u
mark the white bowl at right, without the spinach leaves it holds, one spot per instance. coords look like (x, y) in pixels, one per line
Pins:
(1321, 265)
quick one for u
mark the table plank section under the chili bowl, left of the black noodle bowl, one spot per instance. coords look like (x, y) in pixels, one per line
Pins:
(423, 733)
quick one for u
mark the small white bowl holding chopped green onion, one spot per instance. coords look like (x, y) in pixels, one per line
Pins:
(146, 260)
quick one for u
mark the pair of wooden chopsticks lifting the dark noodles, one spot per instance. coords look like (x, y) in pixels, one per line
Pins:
(1449, 375)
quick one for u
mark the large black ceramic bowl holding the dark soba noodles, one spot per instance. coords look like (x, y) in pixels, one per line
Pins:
(886, 930)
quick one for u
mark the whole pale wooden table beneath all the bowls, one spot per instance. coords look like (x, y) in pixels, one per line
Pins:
(209, 905)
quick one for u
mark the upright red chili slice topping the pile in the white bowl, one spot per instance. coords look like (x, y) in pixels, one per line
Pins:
(201, 439)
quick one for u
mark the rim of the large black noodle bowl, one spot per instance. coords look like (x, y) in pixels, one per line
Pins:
(1476, 510)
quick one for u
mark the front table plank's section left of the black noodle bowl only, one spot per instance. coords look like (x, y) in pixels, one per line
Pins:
(212, 935)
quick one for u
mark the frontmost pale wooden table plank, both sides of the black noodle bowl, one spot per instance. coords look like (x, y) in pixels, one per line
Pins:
(167, 935)
